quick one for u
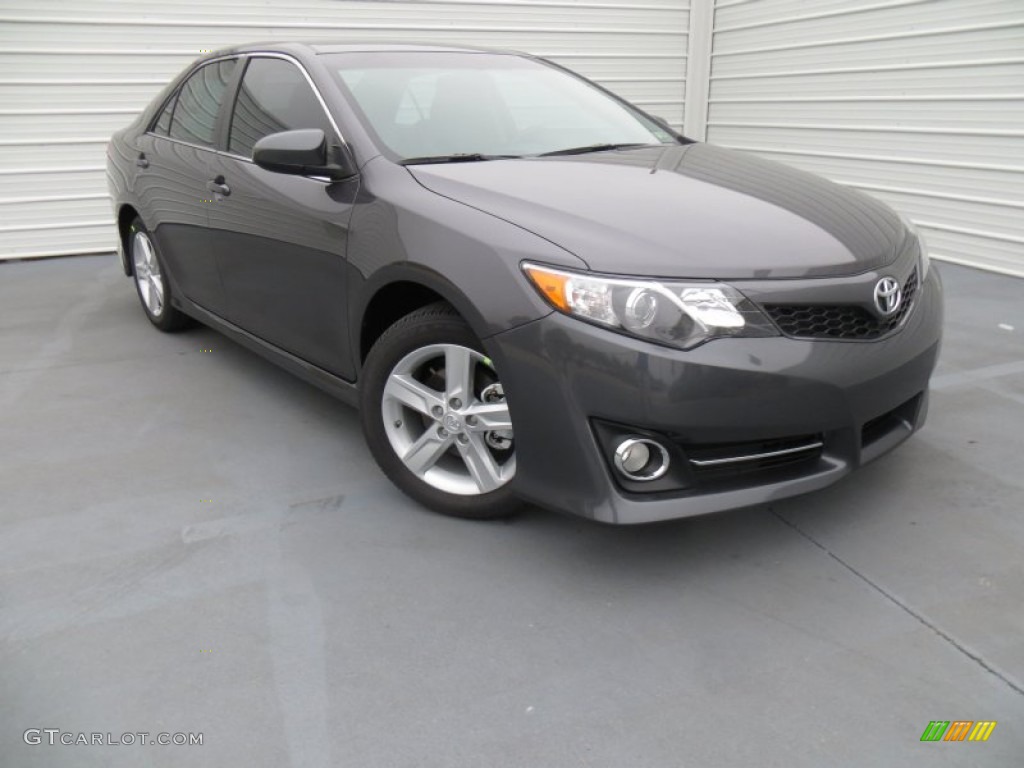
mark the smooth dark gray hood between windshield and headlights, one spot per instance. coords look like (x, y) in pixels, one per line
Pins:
(681, 211)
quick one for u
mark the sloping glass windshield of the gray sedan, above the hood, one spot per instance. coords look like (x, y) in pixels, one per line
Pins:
(477, 106)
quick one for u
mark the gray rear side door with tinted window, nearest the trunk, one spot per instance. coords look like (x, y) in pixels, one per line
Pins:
(174, 168)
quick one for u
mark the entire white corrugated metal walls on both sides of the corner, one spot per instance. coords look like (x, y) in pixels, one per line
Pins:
(920, 103)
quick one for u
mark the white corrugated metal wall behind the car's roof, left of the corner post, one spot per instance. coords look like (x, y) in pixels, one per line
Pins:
(72, 72)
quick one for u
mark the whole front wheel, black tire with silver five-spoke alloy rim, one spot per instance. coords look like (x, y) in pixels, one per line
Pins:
(446, 442)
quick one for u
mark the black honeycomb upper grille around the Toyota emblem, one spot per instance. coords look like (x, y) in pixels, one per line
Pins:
(848, 322)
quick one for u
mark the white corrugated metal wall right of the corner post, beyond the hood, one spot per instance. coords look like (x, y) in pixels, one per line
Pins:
(920, 103)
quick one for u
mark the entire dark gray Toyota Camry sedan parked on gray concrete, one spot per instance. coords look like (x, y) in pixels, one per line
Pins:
(533, 290)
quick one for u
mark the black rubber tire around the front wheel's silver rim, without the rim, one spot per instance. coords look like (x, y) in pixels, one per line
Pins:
(438, 324)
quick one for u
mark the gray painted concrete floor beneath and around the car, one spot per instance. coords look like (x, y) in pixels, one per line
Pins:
(191, 540)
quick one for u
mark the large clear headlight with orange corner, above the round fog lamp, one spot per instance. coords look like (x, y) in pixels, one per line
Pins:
(679, 315)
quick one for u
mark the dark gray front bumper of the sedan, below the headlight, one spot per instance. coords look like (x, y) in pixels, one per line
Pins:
(566, 380)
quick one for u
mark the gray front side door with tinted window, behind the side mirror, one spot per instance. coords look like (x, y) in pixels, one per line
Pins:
(281, 239)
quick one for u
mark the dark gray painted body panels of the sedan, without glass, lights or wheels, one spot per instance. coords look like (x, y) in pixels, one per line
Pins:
(303, 260)
